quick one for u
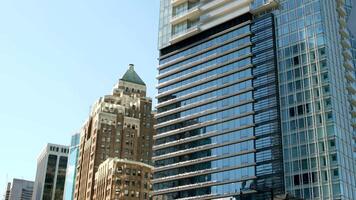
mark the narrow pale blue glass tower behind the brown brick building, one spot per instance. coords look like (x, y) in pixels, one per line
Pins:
(71, 167)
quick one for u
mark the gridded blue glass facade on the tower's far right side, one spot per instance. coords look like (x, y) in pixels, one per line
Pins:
(315, 86)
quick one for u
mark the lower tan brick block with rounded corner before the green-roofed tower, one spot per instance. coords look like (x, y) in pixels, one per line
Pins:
(123, 180)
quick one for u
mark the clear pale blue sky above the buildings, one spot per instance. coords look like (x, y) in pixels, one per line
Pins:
(56, 58)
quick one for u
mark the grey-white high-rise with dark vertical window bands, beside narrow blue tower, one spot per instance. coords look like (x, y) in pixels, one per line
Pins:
(51, 173)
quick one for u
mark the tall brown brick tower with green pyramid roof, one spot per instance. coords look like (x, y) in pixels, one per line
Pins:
(120, 125)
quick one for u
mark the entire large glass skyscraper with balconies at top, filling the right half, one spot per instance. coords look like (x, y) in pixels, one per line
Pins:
(255, 98)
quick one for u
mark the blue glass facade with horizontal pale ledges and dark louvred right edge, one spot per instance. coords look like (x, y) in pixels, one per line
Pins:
(218, 131)
